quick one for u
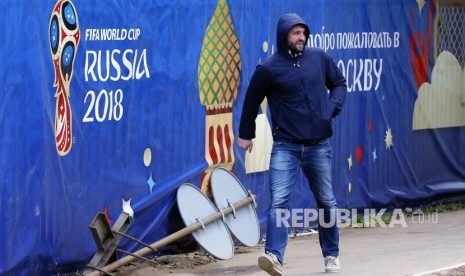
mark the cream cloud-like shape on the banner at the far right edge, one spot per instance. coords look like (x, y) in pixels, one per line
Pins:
(442, 103)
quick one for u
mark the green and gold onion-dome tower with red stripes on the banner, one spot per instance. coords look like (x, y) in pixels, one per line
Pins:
(218, 78)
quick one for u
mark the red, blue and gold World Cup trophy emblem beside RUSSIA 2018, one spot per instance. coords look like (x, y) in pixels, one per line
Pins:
(64, 39)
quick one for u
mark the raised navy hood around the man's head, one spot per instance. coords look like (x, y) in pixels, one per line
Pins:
(285, 24)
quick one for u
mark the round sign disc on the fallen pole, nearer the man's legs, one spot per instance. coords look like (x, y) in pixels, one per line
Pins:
(226, 190)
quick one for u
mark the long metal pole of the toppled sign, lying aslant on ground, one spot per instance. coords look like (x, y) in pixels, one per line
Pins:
(175, 236)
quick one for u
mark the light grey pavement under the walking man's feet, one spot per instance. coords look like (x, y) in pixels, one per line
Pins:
(428, 243)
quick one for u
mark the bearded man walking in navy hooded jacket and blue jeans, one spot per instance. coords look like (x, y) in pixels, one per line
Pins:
(296, 80)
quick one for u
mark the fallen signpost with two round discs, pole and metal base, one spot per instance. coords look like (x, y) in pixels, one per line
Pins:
(202, 220)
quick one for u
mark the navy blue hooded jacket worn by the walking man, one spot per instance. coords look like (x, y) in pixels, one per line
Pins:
(296, 87)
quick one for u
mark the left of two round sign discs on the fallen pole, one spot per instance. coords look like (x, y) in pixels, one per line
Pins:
(194, 206)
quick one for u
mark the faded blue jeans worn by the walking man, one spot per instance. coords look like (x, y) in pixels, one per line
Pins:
(315, 161)
